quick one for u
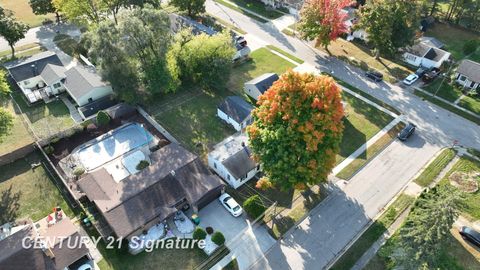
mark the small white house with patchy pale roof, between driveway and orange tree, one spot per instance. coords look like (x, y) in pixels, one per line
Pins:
(232, 160)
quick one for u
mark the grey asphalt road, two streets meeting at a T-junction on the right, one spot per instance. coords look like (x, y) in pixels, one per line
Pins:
(346, 212)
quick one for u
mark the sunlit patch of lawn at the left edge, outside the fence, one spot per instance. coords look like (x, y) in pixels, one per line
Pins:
(18, 135)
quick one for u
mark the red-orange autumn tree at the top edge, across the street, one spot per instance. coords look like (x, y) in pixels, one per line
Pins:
(323, 20)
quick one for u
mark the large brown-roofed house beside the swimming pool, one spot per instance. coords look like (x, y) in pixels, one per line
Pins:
(174, 179)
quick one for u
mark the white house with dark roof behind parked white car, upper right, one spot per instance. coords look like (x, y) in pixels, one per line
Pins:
(423, 55)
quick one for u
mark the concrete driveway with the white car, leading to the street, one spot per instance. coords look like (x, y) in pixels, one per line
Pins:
(246, 242)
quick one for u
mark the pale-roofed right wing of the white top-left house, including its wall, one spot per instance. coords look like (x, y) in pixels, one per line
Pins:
(85, 85)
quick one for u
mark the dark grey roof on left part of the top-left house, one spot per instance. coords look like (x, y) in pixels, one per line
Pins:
(22, 69)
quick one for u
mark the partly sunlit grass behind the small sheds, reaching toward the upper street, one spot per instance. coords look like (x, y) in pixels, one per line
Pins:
(262, 61)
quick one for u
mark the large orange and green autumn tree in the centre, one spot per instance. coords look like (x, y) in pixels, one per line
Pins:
(297, 129)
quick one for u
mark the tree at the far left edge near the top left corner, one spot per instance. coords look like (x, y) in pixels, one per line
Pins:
(11, 29)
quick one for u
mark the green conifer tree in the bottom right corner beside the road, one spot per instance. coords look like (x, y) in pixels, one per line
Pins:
(427, 226)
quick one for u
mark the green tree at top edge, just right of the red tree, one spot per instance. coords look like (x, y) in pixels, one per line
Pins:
(390, 24)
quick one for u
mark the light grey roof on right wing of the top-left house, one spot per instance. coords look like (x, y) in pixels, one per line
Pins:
(79, 81)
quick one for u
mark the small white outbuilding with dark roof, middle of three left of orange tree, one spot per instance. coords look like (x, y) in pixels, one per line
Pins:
(235, 111)
